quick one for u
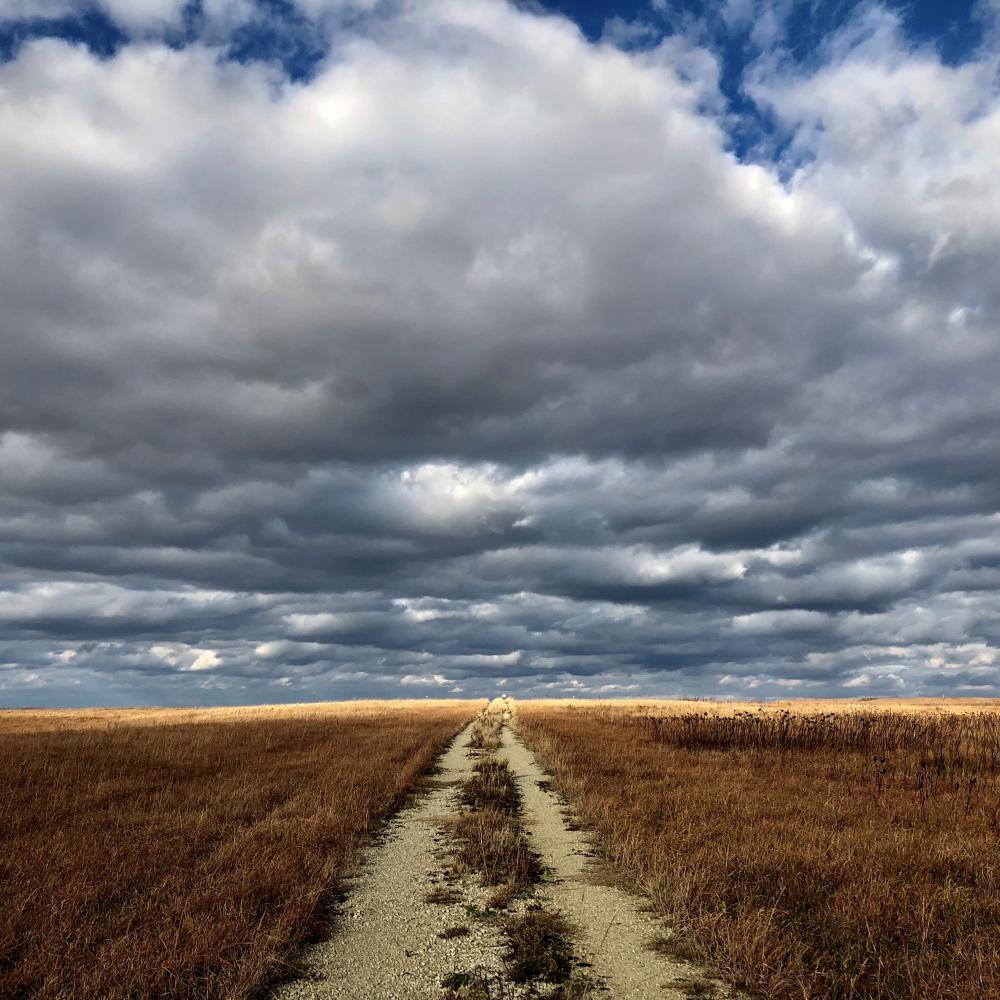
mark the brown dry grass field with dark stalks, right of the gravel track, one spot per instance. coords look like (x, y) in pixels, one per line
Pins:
(832, 853)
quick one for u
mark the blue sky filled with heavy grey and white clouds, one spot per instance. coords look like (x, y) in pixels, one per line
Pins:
(408, 348)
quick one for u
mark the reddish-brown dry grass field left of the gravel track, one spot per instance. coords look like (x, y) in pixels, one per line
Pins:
(158, 858)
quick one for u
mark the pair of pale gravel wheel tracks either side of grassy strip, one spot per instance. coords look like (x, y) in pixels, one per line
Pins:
(387, 945)
